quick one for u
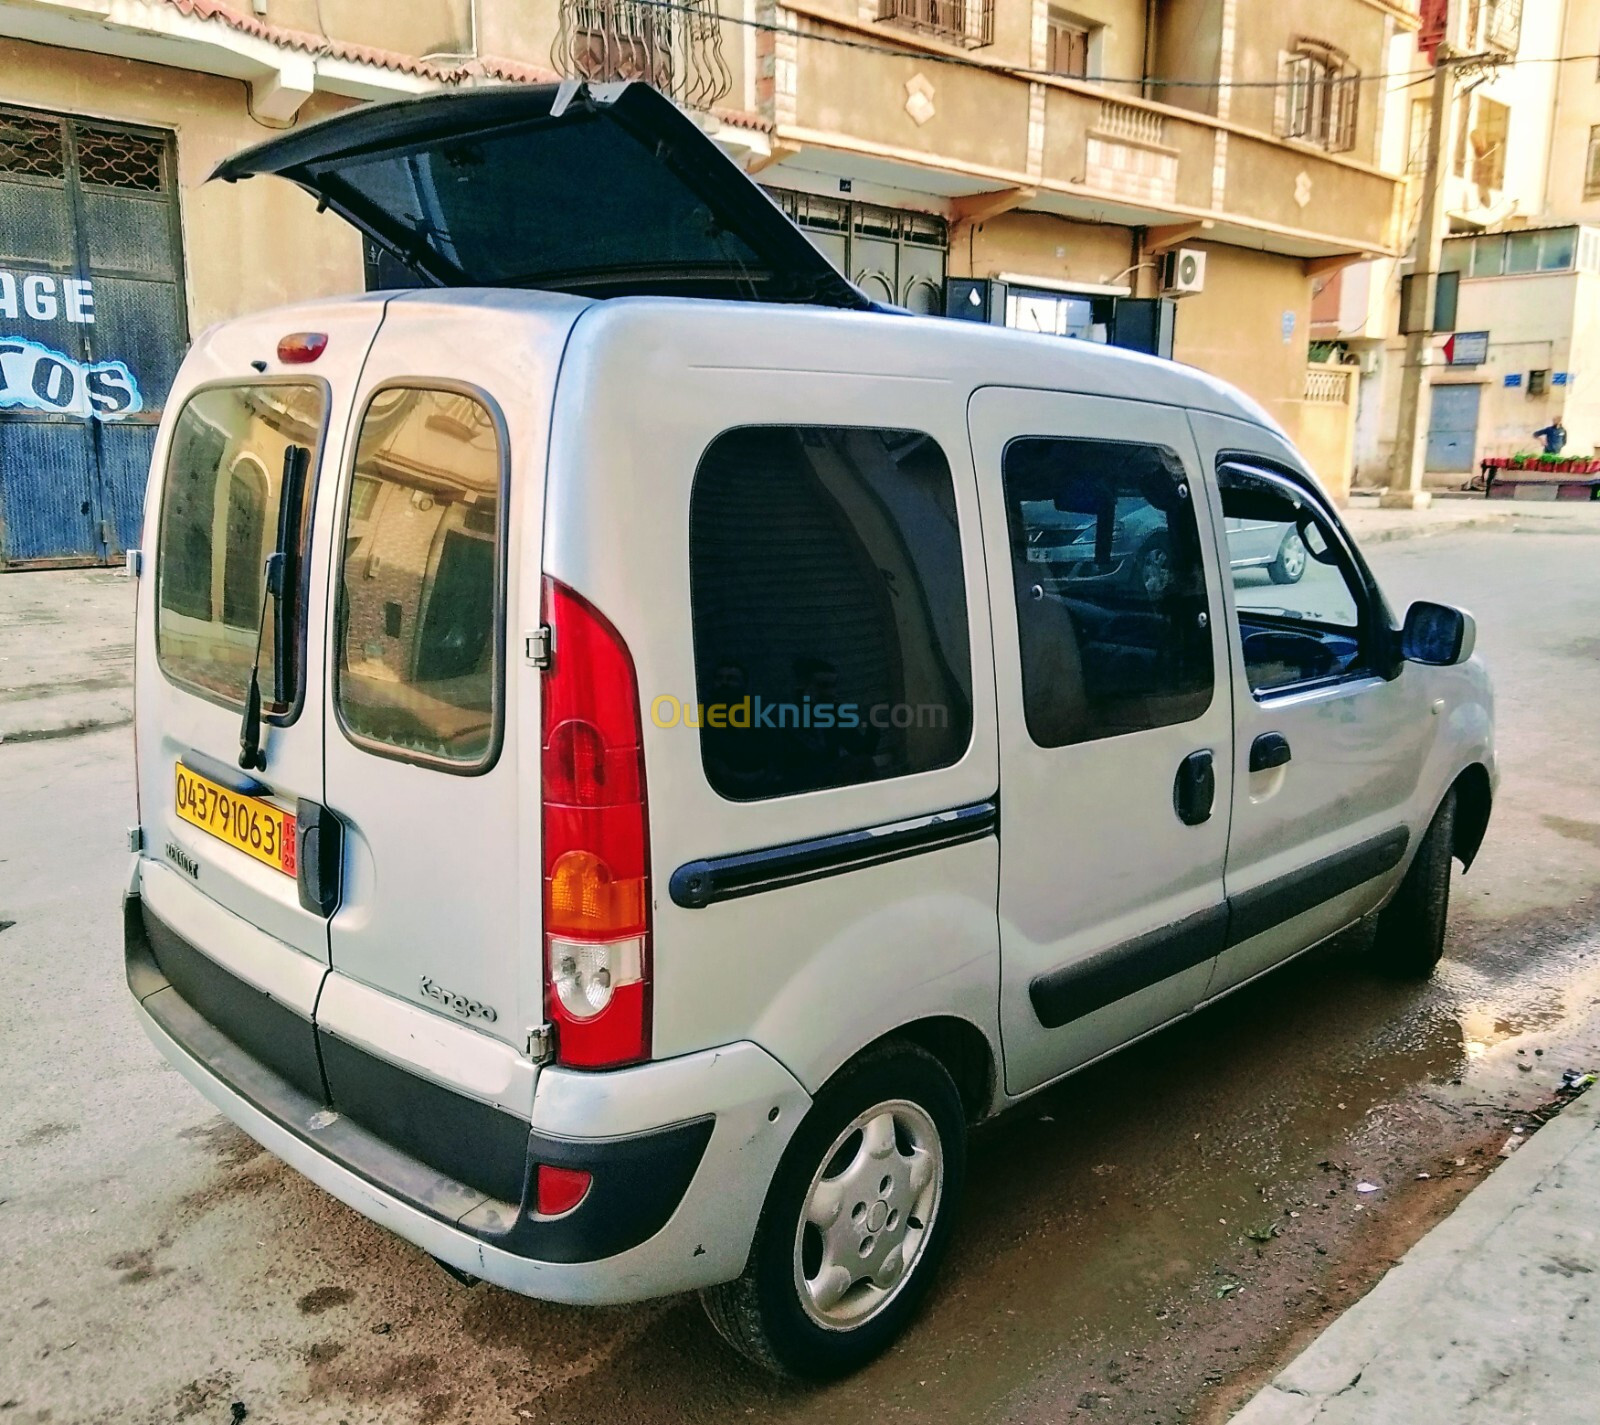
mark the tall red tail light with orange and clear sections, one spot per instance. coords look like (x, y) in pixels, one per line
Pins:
(596, 842)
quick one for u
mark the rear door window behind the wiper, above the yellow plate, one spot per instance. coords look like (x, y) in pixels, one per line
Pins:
(220, 522)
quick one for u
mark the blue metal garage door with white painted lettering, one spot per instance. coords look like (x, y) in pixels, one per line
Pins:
(92, 332)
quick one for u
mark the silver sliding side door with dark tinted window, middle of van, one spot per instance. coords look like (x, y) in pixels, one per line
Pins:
(1116, 725)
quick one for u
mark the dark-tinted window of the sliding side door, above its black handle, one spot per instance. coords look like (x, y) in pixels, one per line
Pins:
(1110, 586)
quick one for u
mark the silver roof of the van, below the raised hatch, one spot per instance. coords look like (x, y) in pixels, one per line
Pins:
(804, 338)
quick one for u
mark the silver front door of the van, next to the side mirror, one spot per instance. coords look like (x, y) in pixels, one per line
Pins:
(1330, 738)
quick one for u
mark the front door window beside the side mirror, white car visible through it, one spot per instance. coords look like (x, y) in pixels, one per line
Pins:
(1300, 602)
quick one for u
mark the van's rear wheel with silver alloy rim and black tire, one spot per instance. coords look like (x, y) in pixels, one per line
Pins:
(770, 1314)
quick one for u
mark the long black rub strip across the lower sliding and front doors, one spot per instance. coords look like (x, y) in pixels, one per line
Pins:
(1076, 991)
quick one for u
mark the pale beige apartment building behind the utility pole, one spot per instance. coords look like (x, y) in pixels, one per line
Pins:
(1522, 212)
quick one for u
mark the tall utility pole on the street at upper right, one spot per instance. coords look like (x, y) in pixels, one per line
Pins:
(1410, 455)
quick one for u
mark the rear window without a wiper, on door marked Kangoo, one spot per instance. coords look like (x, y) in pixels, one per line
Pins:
(418, 669)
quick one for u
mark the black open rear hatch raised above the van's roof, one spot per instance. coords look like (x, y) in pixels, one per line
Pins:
(591, 190)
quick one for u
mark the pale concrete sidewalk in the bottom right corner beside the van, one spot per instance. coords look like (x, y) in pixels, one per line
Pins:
(1492, 1319)
